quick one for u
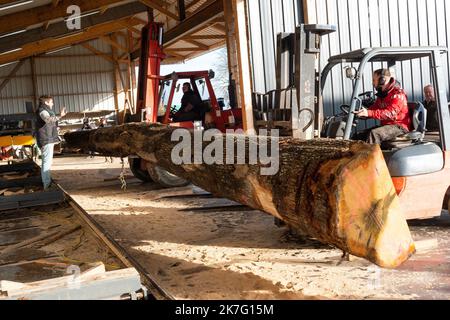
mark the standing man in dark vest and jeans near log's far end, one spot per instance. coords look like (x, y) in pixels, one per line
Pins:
(47, 135)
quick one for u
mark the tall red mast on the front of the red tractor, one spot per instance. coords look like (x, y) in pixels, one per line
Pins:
(149, 71)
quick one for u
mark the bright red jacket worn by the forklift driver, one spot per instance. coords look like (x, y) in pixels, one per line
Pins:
(393, 109)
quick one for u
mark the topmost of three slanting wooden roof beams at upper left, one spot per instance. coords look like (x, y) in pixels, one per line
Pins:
(23, 19)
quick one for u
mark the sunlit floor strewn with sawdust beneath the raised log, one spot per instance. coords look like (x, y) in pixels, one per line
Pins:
(200, 253)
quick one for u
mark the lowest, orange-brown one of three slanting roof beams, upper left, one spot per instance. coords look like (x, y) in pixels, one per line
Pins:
(40, 47)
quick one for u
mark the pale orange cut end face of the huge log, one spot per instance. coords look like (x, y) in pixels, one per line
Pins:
(369, 213)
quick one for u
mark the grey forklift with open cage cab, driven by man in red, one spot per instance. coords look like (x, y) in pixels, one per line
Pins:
(417, 161)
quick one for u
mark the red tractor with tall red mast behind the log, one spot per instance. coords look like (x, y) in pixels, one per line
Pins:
(156, 102)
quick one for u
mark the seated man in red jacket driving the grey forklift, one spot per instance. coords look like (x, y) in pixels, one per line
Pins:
(390, 107)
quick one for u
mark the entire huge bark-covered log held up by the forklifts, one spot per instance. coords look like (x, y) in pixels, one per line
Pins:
(339, 192)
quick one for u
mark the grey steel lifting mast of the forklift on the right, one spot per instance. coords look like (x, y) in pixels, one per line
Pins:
(295, 106)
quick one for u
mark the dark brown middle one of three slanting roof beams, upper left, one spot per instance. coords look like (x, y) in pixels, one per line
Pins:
(60, 28)
